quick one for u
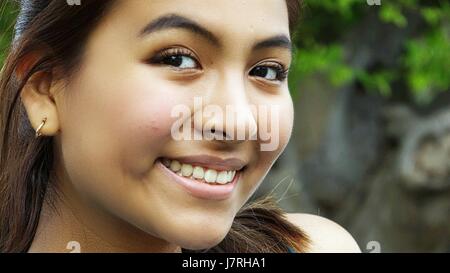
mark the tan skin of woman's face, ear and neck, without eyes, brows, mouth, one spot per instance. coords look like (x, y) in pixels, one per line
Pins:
(111, 122)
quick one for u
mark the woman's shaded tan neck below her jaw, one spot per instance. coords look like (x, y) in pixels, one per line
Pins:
(75, 225)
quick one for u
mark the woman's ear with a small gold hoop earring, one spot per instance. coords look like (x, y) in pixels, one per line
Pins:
(37, 97)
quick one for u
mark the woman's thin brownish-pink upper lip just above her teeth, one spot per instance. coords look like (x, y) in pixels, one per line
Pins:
(213, 162)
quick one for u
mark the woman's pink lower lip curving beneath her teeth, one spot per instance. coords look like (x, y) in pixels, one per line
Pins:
(202, 190)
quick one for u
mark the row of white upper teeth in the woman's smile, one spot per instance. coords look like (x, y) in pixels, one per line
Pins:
(199, 173)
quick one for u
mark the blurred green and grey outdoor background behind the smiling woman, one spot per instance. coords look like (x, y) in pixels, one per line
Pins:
(371, 142)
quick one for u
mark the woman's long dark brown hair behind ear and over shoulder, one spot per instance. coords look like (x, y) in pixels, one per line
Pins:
(58, 33)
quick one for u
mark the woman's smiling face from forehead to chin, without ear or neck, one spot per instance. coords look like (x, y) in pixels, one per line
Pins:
(116, 150)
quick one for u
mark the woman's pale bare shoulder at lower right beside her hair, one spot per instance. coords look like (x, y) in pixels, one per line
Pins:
(325, 235)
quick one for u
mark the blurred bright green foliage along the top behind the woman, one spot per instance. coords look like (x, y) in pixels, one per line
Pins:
(422, 67)
